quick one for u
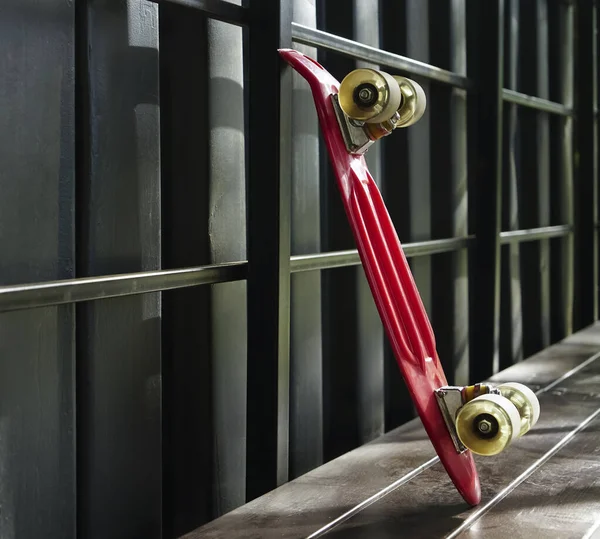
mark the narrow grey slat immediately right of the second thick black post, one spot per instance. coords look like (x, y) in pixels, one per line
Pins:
(512, 320)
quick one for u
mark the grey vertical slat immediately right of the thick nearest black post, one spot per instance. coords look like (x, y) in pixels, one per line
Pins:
(306, 376)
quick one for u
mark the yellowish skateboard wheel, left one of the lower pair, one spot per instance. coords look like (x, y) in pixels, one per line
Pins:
(488, 424)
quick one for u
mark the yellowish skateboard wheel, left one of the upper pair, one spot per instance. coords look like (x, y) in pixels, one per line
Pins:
(369, 96)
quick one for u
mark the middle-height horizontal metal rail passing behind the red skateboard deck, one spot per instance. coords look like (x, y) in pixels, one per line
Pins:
(341, 259)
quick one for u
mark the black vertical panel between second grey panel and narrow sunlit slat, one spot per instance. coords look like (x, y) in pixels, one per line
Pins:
(187, 411)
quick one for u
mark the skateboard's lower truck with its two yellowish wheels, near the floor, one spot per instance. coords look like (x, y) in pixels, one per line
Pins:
(486, 419)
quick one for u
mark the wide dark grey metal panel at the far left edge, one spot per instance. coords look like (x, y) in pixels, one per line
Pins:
(37, 169)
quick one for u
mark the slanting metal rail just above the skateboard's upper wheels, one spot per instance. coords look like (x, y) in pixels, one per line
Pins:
(353, 49)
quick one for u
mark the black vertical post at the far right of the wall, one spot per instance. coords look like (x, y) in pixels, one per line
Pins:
(586, 167)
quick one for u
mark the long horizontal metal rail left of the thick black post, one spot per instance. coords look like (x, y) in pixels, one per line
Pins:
(29, 296)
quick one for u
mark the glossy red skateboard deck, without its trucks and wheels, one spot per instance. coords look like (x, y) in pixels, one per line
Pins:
(390, 279)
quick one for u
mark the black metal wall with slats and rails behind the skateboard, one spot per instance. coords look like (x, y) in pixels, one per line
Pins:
(184, 321)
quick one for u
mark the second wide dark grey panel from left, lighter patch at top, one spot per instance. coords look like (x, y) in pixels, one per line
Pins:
(119, 440)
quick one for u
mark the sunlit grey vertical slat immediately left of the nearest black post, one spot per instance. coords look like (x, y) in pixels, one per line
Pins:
(227, 233)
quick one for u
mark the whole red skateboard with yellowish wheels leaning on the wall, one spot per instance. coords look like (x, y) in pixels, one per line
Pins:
(483, 419)
